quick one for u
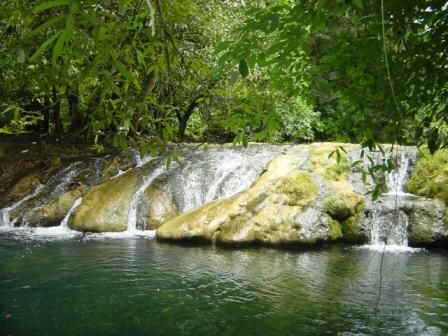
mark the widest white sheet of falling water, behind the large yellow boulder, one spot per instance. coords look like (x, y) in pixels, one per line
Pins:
(217, 173)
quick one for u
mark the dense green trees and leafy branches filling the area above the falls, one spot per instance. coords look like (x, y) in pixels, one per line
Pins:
(234, 70)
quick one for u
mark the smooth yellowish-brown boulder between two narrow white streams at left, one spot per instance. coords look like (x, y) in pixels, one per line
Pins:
(105, 207)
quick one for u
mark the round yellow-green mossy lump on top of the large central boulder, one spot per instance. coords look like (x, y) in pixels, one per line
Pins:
(298, 189)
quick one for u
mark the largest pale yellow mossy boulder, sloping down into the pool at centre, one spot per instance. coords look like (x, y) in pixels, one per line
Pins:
(277, 209)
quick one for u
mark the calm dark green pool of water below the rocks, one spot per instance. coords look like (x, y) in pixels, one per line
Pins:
(142, 287)
